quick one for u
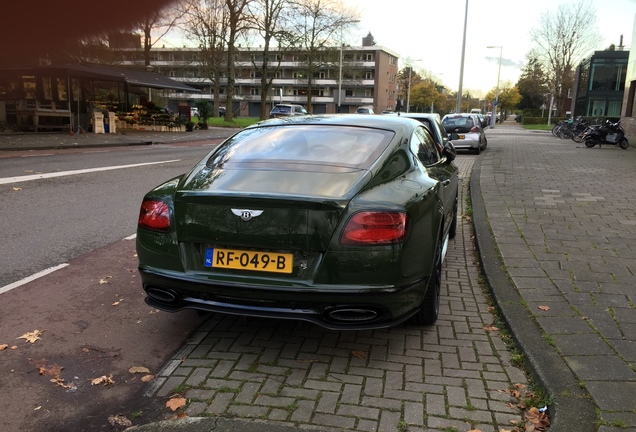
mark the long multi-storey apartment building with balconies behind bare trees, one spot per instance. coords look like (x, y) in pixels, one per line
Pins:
(342, 81)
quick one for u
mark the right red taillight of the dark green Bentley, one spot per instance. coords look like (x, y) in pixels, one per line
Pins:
(372, 228)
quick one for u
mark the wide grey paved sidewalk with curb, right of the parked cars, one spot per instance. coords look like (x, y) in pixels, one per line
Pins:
(563, 219)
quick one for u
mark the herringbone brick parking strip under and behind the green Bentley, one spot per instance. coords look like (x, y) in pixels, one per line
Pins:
(449, 376)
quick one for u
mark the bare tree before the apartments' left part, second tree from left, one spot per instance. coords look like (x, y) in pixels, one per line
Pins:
(206, 23)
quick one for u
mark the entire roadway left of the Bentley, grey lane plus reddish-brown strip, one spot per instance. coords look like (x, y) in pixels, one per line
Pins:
(91, 315)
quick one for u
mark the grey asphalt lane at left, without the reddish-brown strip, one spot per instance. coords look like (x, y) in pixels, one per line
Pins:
(50, 221)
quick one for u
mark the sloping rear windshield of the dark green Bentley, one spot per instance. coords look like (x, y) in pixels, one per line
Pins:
(318, 145)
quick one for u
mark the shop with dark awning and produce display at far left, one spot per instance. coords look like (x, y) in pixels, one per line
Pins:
(67, 97)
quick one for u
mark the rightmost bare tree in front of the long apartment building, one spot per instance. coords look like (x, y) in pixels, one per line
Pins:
(316, 24)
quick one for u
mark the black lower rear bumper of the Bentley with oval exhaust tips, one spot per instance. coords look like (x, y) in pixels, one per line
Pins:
(335, 308)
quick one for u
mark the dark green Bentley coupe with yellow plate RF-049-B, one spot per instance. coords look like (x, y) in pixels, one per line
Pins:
(340, 220)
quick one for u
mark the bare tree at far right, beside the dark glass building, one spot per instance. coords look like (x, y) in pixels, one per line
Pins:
(564, 39)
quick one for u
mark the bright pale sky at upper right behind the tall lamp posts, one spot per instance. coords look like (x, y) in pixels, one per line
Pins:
(429, 34)
